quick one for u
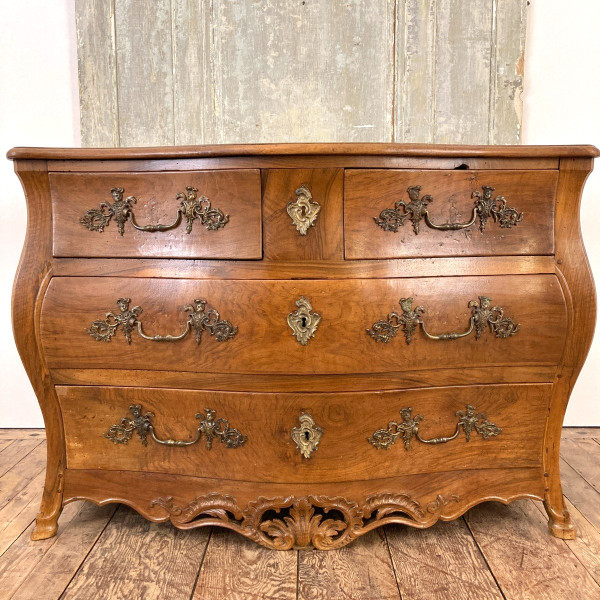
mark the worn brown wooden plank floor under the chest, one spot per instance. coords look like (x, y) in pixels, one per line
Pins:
(495, 551)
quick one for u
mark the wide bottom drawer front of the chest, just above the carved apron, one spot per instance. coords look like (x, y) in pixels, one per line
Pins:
(343, 436)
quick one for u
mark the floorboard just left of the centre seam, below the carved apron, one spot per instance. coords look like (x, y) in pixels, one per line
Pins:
(236, 569)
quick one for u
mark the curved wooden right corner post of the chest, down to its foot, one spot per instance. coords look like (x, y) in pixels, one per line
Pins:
(574, 273)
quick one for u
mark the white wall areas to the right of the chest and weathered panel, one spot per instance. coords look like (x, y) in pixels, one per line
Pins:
(562, 106)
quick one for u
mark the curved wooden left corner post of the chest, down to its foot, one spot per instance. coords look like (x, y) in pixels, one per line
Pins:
(32, 279)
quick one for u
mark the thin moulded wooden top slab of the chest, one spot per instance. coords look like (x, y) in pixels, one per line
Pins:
(409, 150)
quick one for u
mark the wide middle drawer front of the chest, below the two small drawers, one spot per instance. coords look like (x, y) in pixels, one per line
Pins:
(266, 327)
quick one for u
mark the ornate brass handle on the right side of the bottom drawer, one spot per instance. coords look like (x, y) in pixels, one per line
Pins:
(468, 421)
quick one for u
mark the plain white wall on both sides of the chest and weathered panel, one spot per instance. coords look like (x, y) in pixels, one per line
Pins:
(39, 106)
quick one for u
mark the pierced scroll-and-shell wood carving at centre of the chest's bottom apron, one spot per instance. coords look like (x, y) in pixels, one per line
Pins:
(284, 523)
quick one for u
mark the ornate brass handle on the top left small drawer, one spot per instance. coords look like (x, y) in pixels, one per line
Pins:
(192, 208)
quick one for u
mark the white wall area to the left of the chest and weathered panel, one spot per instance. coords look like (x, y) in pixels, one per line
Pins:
(38, 107)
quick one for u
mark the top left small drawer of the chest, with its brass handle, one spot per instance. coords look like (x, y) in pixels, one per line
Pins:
(192, 214)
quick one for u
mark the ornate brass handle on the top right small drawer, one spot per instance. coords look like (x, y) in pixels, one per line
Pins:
(391, 219)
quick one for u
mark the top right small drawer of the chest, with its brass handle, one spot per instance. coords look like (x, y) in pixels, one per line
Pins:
(405, 214)
